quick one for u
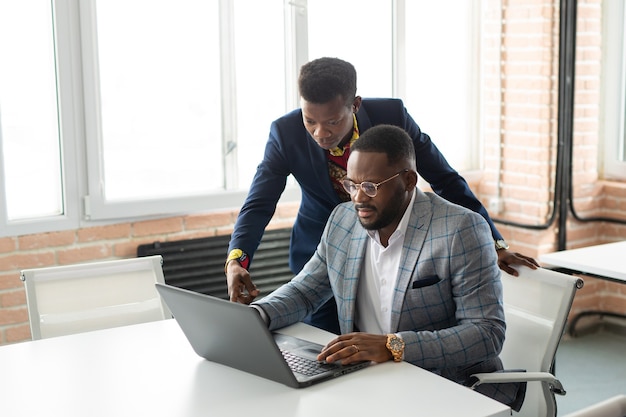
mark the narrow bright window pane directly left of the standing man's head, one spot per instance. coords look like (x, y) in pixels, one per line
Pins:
(262, 93)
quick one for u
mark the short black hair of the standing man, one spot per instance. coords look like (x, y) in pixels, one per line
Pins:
(323, 79)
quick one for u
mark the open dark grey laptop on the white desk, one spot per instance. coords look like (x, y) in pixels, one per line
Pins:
(234, 335)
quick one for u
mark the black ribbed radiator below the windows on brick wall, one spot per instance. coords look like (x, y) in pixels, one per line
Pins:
(198, 264)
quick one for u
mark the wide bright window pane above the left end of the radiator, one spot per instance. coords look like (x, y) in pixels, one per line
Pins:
(159, 106)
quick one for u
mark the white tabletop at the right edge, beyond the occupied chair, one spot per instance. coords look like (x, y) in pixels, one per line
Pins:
(606, 261)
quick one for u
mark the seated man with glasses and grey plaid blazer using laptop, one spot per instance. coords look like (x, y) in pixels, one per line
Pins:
(414, 277)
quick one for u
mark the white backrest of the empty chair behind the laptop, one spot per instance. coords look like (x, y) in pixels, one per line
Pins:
(91, 296)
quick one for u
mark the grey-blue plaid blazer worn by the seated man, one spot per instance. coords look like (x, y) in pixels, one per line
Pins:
(447, 302)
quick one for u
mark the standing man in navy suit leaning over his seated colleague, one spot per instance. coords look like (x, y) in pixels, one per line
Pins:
(313, 144)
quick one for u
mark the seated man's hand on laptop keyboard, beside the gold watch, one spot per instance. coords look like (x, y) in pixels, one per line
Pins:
(356, 347)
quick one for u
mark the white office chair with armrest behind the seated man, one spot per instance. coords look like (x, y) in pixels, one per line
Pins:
(536, 306)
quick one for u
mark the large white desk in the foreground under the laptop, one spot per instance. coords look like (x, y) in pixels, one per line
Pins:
(150, 370)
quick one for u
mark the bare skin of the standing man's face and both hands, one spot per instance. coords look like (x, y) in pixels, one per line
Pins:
(330, 124)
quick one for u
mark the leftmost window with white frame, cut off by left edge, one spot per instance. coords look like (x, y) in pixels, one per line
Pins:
(38, 180)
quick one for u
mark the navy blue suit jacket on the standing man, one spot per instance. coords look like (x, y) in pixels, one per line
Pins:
(291, 150)
